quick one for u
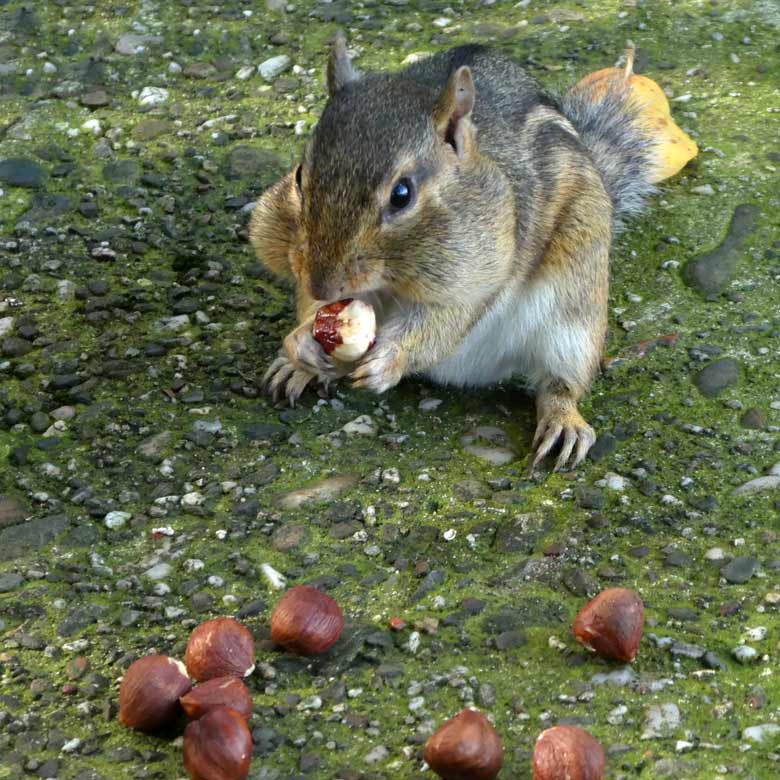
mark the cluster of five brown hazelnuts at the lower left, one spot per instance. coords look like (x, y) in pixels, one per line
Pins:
(220, 653)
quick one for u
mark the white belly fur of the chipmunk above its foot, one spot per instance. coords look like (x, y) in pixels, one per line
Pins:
(520, 334)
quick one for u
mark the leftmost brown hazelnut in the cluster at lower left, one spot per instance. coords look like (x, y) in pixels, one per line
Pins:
(150, 691)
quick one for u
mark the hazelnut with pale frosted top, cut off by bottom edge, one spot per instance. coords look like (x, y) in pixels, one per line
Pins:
(567, 753)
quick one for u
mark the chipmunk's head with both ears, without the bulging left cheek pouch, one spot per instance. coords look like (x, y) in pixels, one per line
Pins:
(380, 191)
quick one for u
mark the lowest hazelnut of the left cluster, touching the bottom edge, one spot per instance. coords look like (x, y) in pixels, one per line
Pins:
(218, 746)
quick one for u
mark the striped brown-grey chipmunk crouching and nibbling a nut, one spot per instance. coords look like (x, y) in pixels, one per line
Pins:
(476, 212)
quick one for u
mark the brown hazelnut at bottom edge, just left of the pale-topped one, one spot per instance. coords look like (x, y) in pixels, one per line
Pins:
(466, 747)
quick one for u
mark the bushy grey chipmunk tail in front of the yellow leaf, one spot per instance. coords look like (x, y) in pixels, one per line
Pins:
(609, 127)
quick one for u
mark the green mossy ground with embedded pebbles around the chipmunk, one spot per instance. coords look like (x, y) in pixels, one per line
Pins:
(724, 55)
